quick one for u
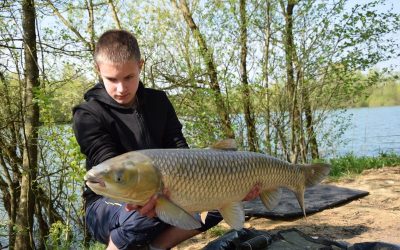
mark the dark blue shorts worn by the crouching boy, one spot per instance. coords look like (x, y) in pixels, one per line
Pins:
(128, 229)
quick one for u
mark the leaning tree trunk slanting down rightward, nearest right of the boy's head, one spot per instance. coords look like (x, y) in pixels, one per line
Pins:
(208, 58)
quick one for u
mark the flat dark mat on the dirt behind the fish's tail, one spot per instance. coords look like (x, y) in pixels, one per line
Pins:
(316, 199)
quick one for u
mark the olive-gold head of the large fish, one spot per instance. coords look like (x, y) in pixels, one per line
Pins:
(130, 177)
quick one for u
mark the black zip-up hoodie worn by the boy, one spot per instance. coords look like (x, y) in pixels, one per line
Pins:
(104, 128)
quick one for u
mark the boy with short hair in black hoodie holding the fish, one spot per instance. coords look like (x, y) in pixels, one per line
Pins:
(121, 115)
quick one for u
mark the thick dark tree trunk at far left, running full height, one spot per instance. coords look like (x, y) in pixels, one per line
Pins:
(24, 220)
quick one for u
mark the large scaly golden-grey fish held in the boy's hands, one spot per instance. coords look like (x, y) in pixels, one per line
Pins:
(200, 180)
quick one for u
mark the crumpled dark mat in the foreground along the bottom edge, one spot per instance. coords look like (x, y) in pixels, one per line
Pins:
(291, 239)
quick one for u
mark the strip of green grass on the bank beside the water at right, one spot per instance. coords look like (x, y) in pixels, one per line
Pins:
(350, 164)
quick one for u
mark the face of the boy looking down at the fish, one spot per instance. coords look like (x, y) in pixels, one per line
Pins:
(121, 80)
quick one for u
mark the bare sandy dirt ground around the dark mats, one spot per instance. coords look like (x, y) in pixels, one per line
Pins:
(375, 217)
